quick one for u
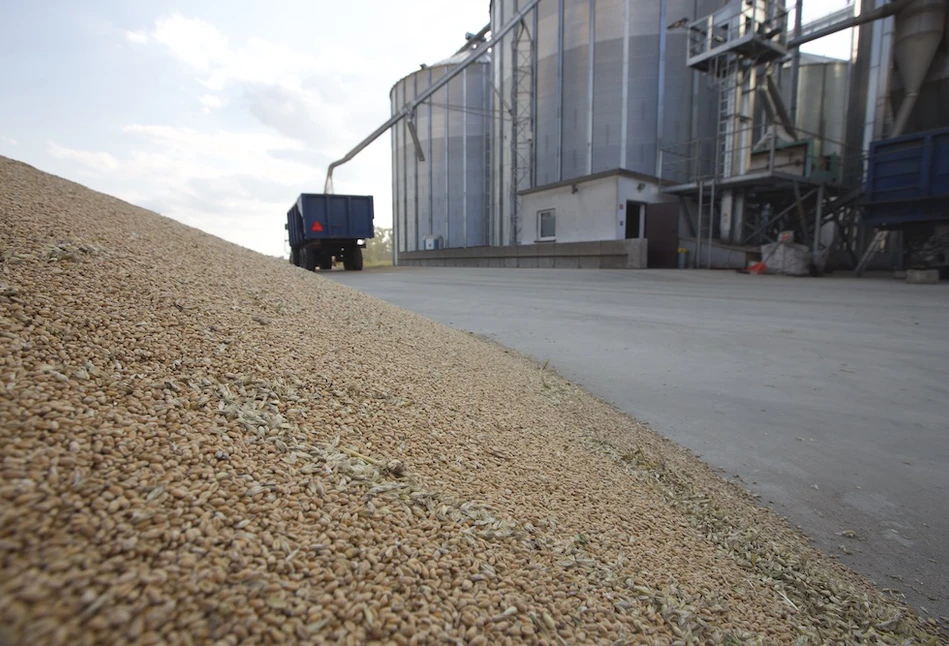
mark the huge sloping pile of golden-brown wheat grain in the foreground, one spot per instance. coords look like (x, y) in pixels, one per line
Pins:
(201, 444)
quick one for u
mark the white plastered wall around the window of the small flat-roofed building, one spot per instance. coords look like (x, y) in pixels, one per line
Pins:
(585, 215)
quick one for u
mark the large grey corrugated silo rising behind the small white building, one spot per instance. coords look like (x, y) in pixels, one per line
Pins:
(582, 122)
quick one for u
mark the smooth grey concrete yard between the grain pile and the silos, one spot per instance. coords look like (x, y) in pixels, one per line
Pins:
(828, 397)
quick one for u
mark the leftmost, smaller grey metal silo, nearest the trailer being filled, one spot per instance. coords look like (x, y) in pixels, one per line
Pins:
(446, 194)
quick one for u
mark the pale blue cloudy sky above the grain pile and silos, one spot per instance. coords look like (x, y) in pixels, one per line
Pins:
(217, 113)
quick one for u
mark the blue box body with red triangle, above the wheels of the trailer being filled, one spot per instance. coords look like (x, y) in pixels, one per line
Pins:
(317, 216)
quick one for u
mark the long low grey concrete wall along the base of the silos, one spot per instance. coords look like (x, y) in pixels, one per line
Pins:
(605, 254)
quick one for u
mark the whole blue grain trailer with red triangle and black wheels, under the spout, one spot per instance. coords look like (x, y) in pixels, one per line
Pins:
(324, 228)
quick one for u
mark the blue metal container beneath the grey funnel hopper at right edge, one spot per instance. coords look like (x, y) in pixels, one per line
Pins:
(908, 179)
